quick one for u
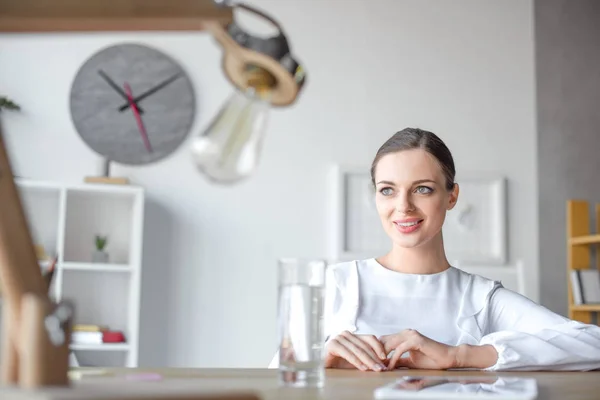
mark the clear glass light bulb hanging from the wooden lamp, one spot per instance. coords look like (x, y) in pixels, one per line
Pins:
(228, 151)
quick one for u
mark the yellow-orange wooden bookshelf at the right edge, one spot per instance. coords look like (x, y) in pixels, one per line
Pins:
(581, 249)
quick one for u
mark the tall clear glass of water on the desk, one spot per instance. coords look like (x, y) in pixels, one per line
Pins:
(300, 318)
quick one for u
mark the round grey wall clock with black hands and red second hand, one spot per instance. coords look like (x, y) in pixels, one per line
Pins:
(132, 104)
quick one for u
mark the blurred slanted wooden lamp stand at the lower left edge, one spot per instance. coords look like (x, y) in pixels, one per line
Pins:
(28, 356)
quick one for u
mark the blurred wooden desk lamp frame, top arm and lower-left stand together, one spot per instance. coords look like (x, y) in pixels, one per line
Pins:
(36, 331)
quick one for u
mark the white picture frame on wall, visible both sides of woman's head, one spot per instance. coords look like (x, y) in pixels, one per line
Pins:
(475, 231)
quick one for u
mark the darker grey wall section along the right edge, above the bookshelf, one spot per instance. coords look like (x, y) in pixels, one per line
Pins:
(568, 94)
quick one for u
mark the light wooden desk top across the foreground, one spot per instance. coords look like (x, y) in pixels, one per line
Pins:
(341, 384)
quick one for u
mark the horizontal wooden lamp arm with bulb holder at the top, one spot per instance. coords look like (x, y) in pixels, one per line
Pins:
(240, 48)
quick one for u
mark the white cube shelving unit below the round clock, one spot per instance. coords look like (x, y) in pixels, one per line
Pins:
(64, 219)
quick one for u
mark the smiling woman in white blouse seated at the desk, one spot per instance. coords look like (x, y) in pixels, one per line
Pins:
(411, 308)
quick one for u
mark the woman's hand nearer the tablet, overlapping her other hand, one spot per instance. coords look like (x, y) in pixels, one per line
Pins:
(424, 353)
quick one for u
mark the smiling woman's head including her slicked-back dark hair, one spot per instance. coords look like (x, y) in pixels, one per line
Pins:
(414, 176)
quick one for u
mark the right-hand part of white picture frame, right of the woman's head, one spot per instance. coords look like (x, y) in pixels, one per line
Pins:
(475, 231)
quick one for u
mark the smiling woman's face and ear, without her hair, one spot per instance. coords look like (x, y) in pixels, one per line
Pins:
(411, 196)
